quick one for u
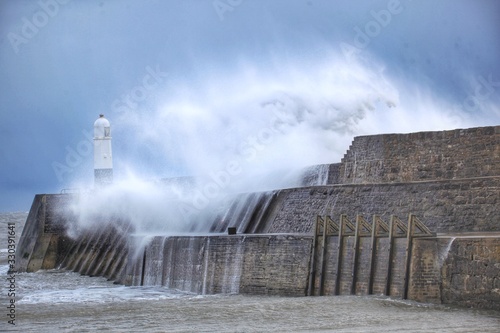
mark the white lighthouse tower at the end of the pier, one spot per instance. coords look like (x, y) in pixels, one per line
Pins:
(103, 161)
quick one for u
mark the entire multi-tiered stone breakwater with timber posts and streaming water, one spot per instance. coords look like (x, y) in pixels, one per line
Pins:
(452, 257)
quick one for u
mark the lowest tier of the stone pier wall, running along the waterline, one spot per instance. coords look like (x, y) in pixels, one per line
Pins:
(461, 270)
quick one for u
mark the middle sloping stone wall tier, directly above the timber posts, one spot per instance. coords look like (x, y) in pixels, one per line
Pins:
(444, 206)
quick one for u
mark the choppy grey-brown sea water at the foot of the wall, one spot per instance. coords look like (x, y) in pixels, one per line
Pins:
(62, 301)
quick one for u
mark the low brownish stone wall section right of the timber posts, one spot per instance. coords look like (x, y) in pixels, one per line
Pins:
(462, 270)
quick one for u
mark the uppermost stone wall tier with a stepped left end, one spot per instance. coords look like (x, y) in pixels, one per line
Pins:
(461, 153)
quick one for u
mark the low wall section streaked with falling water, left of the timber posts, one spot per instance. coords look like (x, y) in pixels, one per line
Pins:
(223, 264)
